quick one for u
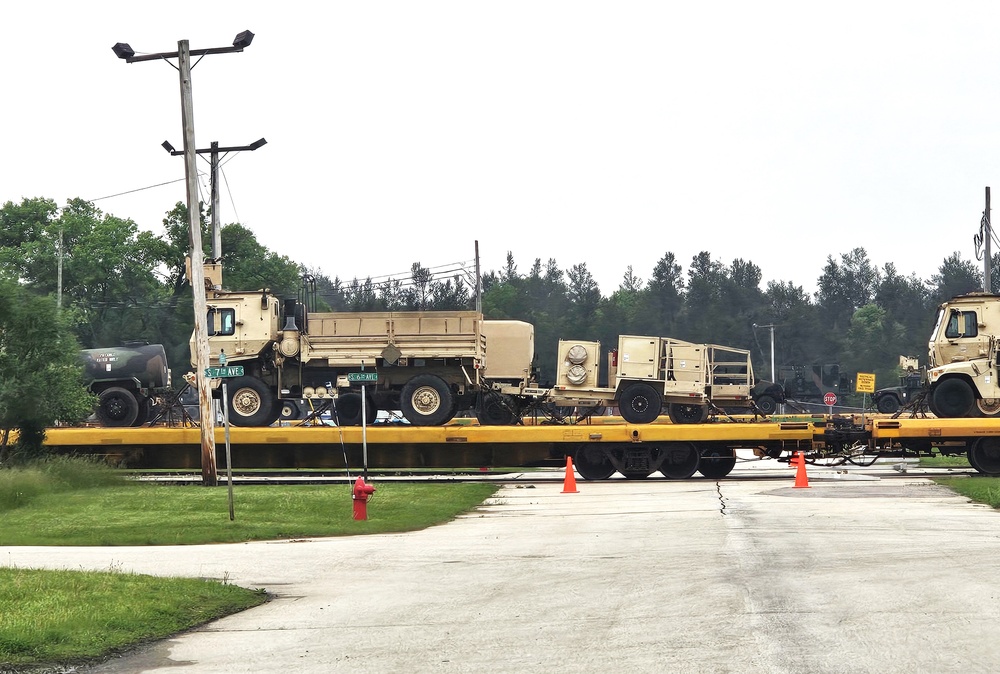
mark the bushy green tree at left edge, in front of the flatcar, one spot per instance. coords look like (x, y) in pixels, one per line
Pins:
(41, 374)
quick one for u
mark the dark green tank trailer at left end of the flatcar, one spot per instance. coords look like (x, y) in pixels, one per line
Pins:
(126, 381)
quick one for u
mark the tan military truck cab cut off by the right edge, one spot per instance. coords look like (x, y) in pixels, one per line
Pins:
(962, 357)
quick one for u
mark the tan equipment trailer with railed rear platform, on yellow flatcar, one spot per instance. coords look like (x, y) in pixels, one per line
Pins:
(651, 375)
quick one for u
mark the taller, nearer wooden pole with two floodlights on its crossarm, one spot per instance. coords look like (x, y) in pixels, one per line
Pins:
(183, 55)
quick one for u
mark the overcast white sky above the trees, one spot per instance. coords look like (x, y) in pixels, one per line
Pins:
(601, 132)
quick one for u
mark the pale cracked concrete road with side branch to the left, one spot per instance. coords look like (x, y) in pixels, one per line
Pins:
(852, 574)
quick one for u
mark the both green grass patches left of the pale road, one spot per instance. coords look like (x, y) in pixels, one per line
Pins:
(49, 617)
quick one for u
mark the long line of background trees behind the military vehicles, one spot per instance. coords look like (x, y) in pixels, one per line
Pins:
(110, 282)
